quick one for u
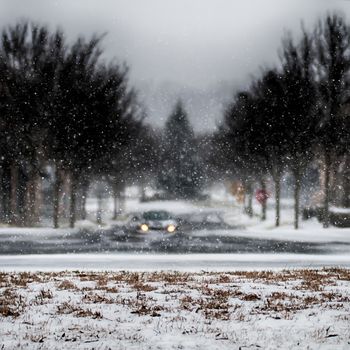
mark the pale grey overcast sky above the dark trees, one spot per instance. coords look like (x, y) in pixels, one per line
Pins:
(199, 50)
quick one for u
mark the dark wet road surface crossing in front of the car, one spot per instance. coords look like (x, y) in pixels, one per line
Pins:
(117, 240)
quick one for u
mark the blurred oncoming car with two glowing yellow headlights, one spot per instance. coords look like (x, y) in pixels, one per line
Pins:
(153, 220)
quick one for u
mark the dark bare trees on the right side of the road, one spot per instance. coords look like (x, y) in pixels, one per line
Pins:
(294, 115)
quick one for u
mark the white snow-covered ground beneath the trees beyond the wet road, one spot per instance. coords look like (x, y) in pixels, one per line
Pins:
(310, 230)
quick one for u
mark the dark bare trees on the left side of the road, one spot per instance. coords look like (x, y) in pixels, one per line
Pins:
(65, 115)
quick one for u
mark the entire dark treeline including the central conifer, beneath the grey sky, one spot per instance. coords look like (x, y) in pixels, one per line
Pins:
(68, 118)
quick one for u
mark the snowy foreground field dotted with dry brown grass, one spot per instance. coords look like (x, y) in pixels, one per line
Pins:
(304, 309)
